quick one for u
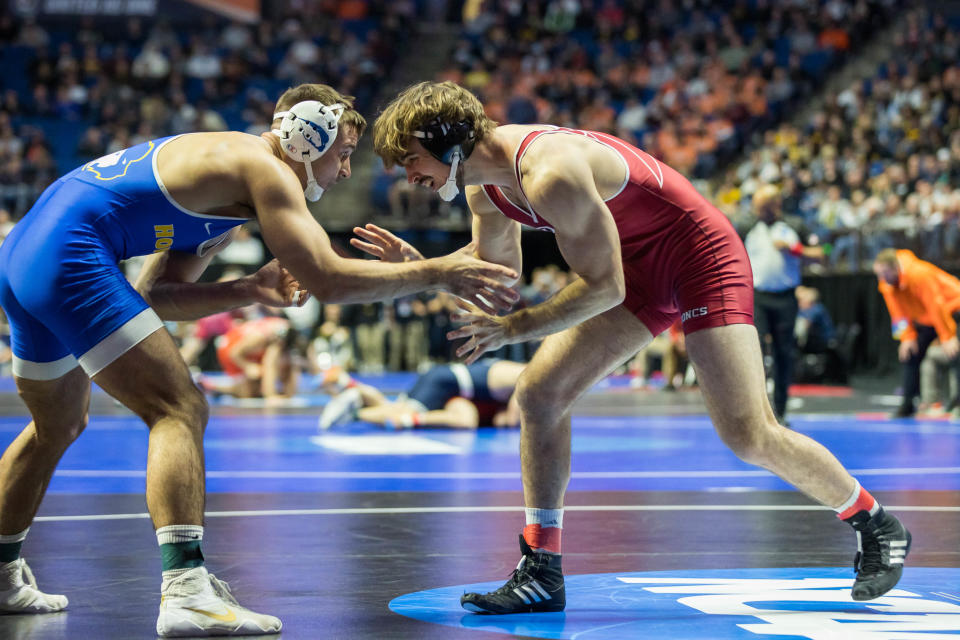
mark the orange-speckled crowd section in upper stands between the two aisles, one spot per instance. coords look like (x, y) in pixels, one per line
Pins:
(689, 82)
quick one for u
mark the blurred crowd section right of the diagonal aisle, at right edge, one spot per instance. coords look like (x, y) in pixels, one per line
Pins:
(878, 165)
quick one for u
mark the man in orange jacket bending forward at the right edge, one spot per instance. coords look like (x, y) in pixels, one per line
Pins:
(924, 302)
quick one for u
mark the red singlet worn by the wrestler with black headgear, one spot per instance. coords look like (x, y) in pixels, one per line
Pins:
(681, 256)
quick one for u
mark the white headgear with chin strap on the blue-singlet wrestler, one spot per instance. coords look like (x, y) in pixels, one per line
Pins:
(307, 131)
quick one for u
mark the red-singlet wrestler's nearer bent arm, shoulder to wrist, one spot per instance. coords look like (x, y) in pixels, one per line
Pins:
(588, 240)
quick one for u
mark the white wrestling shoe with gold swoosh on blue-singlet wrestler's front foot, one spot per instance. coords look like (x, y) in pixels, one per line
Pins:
(198, 604)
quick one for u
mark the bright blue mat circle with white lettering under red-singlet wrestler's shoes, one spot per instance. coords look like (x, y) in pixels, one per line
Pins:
(809, 603)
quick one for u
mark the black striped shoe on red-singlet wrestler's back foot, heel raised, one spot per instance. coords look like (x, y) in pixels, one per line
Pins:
(882, 546)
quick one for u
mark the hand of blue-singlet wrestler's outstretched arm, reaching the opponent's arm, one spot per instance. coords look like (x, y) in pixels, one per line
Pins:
(481, 283)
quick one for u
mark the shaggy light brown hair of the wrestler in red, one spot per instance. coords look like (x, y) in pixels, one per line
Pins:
(419, 104)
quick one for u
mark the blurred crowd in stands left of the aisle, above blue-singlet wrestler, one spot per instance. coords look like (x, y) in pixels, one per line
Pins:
(74, 92)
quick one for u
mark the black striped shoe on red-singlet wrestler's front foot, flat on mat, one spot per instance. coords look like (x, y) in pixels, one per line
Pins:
(536, 586)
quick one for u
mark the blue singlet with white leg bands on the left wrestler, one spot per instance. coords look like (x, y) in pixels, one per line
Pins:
(60, 284)
